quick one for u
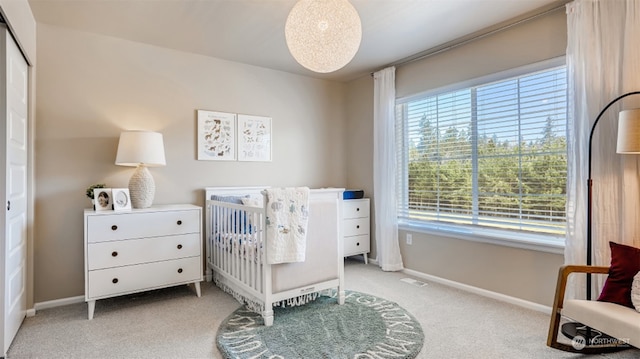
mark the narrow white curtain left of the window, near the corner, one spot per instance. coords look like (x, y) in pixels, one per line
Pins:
(384, 170)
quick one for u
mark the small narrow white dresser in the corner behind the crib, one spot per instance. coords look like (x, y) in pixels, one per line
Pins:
(355, 214)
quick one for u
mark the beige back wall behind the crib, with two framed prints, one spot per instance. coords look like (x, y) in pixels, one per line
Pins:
(91, 87)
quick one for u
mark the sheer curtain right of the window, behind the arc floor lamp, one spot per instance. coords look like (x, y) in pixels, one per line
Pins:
(603, 62)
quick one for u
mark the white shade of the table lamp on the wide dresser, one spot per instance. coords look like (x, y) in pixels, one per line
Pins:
(140, 147)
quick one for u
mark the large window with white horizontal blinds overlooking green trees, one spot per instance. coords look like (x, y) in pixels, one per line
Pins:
(488, 156)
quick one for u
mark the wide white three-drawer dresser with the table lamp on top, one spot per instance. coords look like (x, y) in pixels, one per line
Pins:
(142, 249)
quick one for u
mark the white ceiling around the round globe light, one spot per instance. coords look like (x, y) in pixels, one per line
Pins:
(252, 31)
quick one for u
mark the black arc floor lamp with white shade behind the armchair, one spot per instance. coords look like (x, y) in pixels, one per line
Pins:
(628, 142)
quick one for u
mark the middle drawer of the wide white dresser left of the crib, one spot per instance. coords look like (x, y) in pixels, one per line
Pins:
(134, 251)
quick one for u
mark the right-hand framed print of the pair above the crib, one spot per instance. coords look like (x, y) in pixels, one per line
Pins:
(254, 138)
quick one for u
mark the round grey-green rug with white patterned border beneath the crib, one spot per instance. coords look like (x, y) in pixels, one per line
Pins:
(364, 327)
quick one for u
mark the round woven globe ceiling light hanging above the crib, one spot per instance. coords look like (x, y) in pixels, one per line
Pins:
(323, 35)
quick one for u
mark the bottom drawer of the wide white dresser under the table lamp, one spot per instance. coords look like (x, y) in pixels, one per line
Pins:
(135, 278)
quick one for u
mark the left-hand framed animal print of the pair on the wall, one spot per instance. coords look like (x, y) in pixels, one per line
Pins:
(216, 136)
